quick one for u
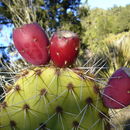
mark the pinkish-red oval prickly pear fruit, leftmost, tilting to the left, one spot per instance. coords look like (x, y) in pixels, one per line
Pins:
(32, 43)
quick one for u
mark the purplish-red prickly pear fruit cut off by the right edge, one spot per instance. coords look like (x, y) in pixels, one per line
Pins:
(117, 92)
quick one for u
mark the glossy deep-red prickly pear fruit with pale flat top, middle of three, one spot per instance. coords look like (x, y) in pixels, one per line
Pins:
(64, 48)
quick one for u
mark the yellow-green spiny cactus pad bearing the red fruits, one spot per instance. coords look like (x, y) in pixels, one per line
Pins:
(48, 98)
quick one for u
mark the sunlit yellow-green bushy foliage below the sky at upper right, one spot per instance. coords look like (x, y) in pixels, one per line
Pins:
(99, 24)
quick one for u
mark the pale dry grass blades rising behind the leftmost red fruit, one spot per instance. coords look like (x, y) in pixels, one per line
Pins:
(22, 11)
